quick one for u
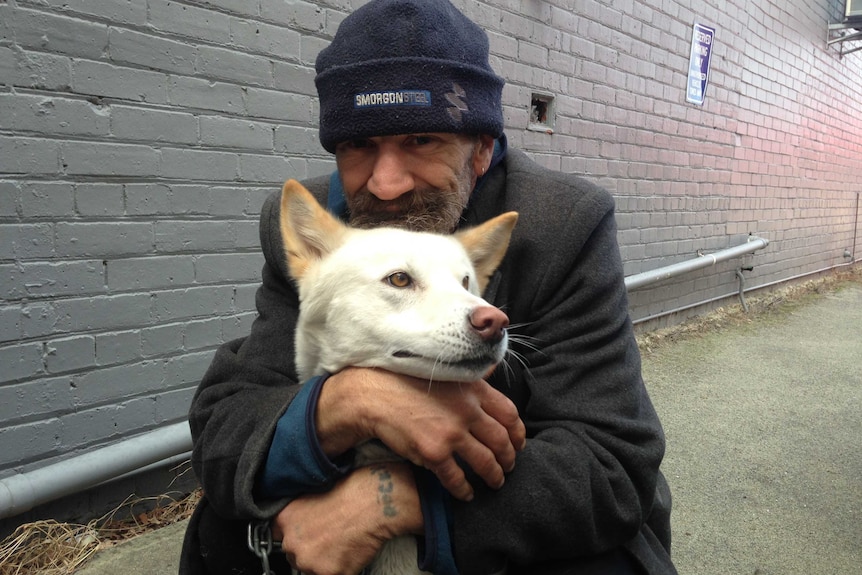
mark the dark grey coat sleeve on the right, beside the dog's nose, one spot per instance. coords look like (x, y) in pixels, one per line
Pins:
(586, 481)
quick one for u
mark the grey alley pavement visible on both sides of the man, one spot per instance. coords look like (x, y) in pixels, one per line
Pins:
(764, 428)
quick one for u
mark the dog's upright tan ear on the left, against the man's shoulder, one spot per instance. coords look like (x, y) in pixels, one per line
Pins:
(309, 232)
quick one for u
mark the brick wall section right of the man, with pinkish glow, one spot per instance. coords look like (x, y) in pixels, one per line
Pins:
(775, 151)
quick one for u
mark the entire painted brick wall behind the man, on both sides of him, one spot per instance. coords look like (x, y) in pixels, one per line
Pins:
(138, 141)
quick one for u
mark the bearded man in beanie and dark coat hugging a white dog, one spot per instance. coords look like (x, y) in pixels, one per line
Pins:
(552, 464)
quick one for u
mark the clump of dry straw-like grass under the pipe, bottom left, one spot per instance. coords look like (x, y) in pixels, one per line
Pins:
(51, 548)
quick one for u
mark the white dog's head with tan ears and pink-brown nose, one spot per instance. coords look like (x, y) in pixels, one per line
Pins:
(408, 302)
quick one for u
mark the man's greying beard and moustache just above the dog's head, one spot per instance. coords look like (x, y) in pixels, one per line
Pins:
(421, 209)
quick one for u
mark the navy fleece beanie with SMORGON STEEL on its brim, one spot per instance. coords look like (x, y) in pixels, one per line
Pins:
(406, 67)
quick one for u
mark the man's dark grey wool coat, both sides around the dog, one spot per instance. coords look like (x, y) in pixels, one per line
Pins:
(588, 481)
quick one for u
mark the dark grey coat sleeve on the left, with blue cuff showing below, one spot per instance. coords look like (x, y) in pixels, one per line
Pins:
(246, 389)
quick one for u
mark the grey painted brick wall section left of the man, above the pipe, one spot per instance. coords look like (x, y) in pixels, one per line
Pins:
(138, 141)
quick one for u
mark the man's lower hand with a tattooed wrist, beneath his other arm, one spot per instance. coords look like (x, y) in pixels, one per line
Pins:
(340, 531)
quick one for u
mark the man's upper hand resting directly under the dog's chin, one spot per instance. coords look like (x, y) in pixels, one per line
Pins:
(426, 423)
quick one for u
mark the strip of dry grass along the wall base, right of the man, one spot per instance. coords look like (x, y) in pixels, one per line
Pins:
(761, 307)
